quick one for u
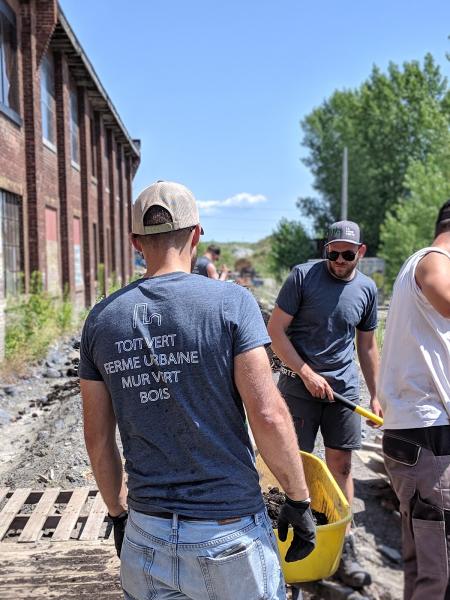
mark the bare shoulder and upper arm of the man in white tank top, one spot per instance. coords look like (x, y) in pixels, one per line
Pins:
(433, 278)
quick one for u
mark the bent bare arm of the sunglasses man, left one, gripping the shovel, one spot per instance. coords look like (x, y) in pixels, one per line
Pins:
(283, 348)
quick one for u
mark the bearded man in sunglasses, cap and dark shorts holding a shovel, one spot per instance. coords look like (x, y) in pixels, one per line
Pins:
(318, 310)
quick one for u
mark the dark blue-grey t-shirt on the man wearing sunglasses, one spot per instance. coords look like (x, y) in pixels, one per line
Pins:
(326, 312)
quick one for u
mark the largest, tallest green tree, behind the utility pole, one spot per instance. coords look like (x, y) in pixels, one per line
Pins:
(391, 121)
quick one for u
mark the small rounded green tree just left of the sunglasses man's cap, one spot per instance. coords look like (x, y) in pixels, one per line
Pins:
(290, 246)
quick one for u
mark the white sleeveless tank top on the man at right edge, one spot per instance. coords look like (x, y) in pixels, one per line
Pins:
(414, 382)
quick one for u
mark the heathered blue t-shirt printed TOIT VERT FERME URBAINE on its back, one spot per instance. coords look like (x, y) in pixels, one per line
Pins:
(164, 346)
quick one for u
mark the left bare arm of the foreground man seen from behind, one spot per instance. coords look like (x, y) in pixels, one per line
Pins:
(100, 439)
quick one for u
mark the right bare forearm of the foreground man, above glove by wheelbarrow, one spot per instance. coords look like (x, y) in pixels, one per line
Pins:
(270, 421)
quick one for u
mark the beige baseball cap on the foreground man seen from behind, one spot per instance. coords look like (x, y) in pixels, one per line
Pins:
(175, 198)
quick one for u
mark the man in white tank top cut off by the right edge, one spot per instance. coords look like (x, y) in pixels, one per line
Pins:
(414, 390)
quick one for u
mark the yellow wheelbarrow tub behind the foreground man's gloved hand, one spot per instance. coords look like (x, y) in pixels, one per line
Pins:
(327, 498)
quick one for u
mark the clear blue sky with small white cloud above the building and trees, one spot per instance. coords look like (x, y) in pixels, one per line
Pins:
(216, 90)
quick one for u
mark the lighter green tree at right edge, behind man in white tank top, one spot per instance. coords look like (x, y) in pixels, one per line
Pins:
(409, 226)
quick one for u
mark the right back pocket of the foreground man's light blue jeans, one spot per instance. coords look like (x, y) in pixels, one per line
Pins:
(240, 575)
